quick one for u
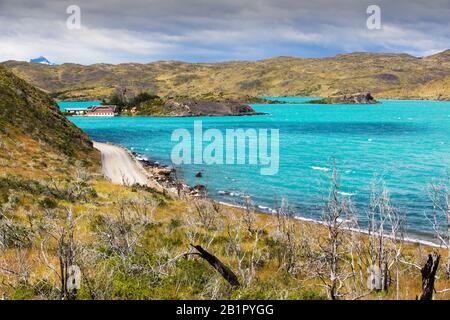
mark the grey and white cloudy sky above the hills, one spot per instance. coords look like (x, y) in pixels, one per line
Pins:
(216, 30)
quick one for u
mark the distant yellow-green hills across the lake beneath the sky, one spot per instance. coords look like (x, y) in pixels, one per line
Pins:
(346, 73)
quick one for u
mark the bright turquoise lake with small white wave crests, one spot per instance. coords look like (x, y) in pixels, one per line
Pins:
(406, 143)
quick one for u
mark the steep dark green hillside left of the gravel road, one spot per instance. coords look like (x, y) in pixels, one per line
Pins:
(28, 112)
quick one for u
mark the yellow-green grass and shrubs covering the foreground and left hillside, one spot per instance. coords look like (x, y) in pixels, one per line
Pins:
(57, 214)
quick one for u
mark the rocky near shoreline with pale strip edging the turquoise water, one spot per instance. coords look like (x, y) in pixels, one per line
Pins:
(169, 183)
